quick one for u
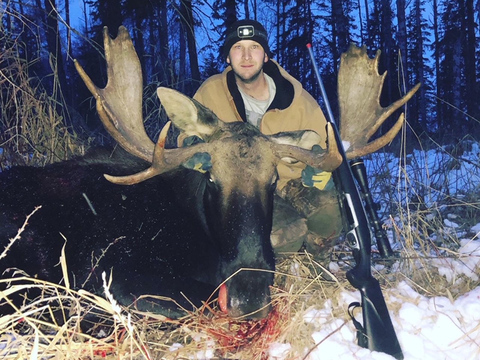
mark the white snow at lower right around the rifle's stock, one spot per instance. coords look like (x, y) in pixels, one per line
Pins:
(427, 327)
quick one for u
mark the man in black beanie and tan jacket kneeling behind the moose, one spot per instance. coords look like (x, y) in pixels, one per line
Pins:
(257, 89)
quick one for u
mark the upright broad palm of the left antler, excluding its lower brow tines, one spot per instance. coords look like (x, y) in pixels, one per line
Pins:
(119, 104)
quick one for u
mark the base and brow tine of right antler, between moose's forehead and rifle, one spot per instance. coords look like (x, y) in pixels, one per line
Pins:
(326, 160)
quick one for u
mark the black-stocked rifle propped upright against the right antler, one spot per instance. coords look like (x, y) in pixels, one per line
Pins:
(377, 332)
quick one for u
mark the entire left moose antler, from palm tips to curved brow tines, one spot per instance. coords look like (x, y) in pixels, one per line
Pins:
(119, 106)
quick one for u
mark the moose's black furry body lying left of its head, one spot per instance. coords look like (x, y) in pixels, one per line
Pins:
(149, 235)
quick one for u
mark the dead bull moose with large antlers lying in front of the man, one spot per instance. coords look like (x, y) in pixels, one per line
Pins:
(186, 222)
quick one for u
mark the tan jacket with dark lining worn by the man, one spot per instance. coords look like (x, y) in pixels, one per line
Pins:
(293, 108)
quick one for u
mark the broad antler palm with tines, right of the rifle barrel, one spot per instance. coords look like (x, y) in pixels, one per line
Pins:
(359, 89)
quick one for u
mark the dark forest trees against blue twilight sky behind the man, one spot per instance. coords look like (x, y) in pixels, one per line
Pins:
(178, 43)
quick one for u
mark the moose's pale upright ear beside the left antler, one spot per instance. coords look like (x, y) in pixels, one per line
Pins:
(188, 115)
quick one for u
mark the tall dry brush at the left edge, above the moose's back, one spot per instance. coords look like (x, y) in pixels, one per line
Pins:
(33, 128)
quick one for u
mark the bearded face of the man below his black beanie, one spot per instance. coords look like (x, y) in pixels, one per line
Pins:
(247, 58)
